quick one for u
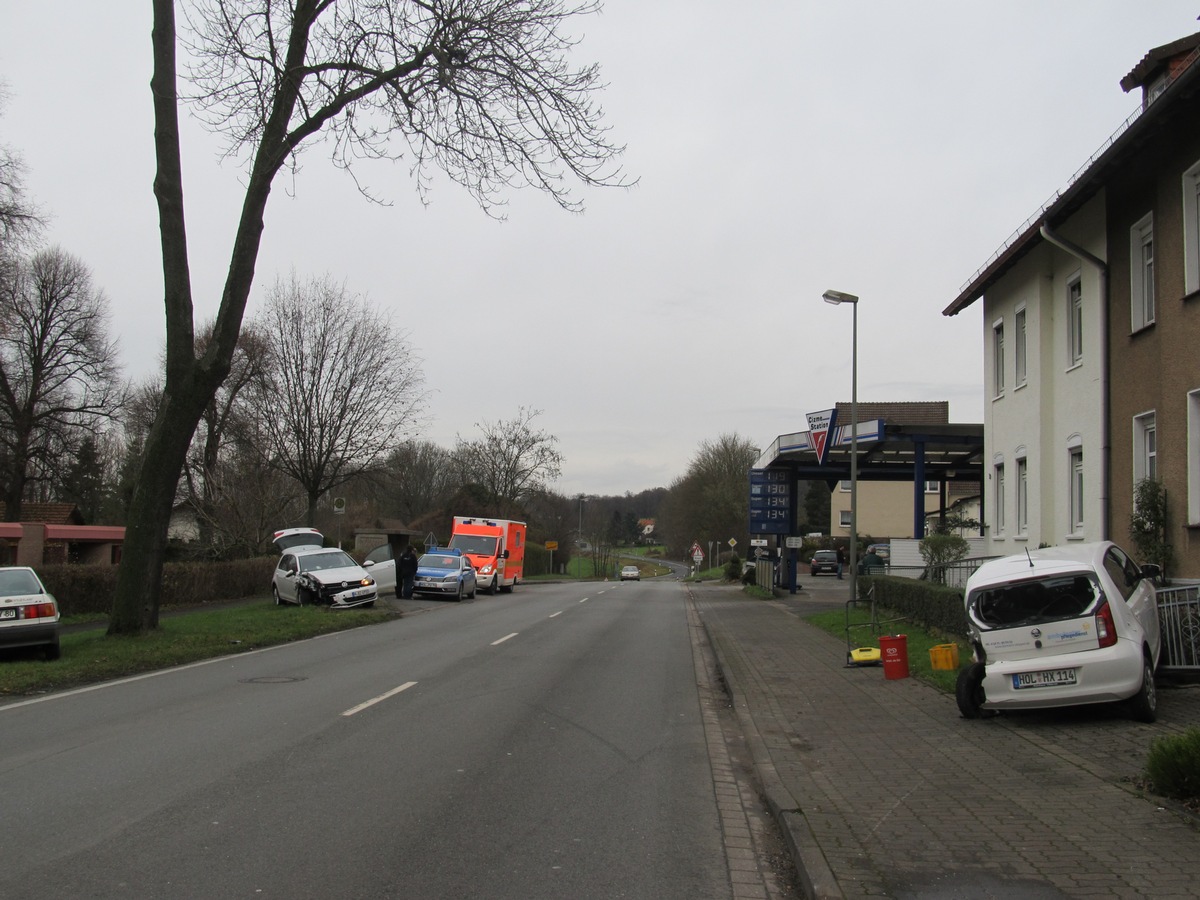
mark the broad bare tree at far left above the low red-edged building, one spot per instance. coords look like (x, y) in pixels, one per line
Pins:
(59, 380)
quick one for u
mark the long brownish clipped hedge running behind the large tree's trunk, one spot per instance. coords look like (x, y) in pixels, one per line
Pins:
(89, 590)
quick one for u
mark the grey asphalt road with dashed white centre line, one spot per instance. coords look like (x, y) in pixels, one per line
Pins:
(545, 743)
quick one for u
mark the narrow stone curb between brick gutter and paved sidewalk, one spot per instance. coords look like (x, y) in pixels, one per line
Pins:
(817, 877)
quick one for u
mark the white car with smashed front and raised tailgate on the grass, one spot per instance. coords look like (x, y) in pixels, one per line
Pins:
(311, 574)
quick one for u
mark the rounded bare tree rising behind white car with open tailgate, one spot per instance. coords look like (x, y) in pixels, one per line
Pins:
(343, 388)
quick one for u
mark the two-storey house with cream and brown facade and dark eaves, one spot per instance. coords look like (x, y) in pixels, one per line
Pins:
(1091, 313)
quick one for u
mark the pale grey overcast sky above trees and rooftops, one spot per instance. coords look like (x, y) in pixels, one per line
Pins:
(782, 148)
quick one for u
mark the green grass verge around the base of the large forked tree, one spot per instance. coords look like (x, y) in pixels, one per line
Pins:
(92, 656)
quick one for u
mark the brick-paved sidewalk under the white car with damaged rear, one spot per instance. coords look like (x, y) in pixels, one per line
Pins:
(883, 790)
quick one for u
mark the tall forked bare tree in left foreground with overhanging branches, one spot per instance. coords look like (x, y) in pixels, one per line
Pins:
(481, 89)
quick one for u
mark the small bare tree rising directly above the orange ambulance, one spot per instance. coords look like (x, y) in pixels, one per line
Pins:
(511, 461)
